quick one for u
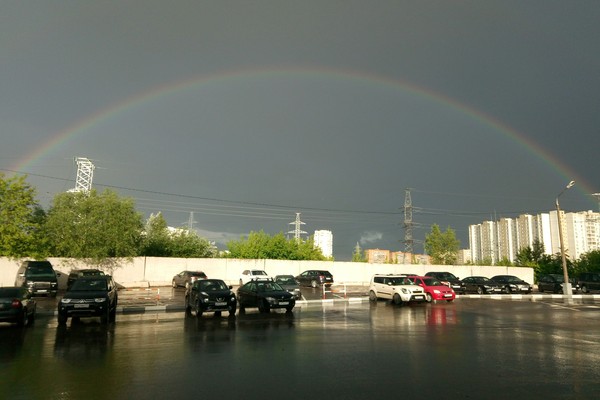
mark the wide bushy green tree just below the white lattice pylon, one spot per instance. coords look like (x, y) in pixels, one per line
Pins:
(93, 226)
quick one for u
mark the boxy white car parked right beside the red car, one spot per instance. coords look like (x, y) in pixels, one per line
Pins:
(397, 288)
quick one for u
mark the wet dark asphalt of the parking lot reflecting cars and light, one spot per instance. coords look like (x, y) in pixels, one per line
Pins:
(468, 349)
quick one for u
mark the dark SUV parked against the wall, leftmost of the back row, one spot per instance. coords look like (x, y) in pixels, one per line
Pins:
(38, 277)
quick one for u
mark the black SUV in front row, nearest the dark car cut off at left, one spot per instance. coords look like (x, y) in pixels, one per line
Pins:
(90, 296)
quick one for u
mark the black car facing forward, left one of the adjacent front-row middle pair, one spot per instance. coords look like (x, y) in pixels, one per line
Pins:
(210, 295)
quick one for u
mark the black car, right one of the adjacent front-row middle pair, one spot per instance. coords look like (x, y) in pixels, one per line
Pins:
(264, 294)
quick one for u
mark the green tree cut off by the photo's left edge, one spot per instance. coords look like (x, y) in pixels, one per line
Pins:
(20, 218)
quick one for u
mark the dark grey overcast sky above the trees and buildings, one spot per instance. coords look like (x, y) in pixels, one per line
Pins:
(247, 112)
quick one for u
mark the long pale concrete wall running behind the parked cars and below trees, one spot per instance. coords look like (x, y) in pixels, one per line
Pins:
(157, 271)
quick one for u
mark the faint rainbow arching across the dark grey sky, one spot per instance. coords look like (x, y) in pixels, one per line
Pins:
(139, 99)
